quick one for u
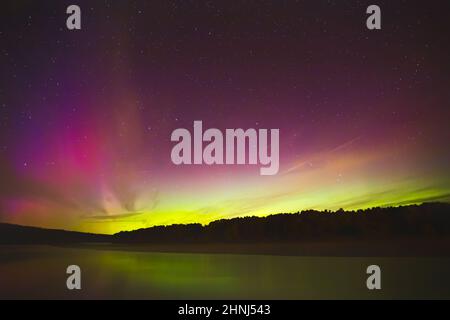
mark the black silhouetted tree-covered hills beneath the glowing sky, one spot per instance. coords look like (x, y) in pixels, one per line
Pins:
(429, 220)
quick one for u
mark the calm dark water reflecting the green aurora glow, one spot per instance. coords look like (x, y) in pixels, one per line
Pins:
(39, 272)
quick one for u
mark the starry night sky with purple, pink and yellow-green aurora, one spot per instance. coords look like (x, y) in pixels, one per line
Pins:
(86, 116)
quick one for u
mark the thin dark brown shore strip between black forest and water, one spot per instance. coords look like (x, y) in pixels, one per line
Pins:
(340, 248)
